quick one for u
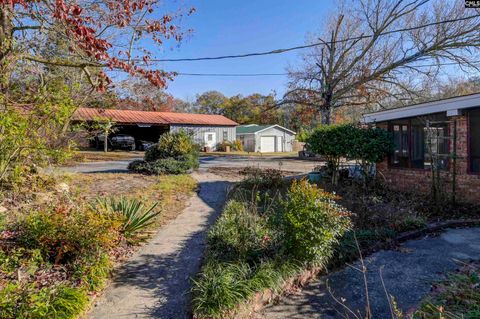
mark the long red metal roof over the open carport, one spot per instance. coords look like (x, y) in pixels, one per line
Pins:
(144, 117)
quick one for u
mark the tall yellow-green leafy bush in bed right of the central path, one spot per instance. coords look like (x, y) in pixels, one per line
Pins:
(313, 223)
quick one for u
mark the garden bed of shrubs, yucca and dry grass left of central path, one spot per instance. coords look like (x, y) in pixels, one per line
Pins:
(58, 244)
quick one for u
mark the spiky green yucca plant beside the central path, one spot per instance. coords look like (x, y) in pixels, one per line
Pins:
(136, 216)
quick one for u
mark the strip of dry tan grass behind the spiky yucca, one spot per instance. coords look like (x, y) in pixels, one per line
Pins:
(171, 191)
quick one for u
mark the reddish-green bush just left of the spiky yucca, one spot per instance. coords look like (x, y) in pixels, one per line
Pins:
(64, 234)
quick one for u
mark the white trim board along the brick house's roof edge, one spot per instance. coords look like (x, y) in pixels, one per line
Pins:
(451, 106)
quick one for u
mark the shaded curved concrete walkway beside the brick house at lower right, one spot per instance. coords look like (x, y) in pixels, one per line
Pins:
(407, 272)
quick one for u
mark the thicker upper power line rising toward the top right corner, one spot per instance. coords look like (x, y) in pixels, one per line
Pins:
(300, 47)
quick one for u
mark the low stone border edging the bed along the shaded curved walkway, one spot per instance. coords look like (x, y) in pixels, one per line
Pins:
(264, 298)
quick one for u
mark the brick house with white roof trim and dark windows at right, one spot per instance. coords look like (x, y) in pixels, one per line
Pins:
(434, 130)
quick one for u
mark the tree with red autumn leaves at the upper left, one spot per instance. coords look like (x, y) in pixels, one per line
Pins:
(99, 35)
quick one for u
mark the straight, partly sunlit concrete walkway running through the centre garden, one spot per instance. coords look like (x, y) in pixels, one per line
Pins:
(155, 282)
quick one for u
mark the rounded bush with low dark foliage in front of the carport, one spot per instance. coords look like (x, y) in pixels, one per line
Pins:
(175, 153)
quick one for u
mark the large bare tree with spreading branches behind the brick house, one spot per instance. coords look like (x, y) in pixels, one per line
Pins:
(376, 50)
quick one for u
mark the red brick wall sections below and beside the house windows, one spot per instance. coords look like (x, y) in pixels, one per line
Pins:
(468, 185)
